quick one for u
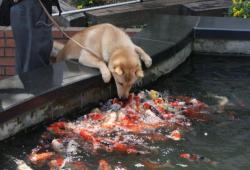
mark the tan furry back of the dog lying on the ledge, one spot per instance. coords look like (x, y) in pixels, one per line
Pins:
(102, 39)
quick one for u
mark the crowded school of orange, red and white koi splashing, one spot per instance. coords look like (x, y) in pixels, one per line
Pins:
(129, 127)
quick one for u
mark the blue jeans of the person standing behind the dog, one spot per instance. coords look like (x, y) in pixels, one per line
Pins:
(32, 34)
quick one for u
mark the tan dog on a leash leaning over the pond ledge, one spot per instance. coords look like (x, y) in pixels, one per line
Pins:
(117, 55)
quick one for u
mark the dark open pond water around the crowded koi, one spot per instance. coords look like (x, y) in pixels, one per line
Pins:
(225, 140)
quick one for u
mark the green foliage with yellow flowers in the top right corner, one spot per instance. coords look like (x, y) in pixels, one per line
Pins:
(240, 8)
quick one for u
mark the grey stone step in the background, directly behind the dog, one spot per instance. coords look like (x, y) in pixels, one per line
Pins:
(135, 14)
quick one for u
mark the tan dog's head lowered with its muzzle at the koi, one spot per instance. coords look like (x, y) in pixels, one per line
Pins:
(126, 69)
